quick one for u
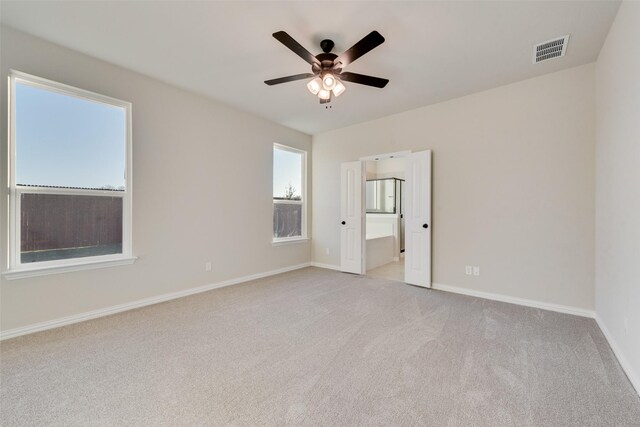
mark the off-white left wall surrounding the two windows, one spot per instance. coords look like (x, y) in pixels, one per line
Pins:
(202, 190)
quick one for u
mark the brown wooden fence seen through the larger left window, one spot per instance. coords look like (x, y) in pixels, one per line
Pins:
(54, 221)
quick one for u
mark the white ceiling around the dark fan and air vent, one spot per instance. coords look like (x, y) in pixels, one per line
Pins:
(434, 51)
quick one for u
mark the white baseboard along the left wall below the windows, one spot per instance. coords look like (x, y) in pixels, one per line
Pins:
(76, 318)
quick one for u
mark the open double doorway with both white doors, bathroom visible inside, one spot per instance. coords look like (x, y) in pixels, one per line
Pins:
(411, 195)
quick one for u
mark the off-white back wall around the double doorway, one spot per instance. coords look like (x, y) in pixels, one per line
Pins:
(513, 185)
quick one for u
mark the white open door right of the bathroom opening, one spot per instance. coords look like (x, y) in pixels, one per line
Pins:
(417, 214)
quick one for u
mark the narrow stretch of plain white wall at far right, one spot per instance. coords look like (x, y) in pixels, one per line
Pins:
(618, 188)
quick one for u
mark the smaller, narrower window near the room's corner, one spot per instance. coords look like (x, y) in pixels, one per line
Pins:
(289, 188)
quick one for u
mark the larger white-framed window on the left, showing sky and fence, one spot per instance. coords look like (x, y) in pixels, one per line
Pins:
(70, 177)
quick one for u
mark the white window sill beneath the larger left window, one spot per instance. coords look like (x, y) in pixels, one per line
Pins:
(65, 266)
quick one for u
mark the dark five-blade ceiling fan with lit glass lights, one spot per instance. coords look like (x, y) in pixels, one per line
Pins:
(327, 68)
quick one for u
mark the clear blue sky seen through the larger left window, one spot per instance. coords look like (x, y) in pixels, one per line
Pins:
(66, 141)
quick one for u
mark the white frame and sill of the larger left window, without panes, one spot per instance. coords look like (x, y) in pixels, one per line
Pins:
(16, 268)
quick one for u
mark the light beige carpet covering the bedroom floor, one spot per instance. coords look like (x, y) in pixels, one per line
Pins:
(317, 347)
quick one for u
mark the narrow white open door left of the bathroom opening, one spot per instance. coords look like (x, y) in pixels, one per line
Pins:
(351, 218)
